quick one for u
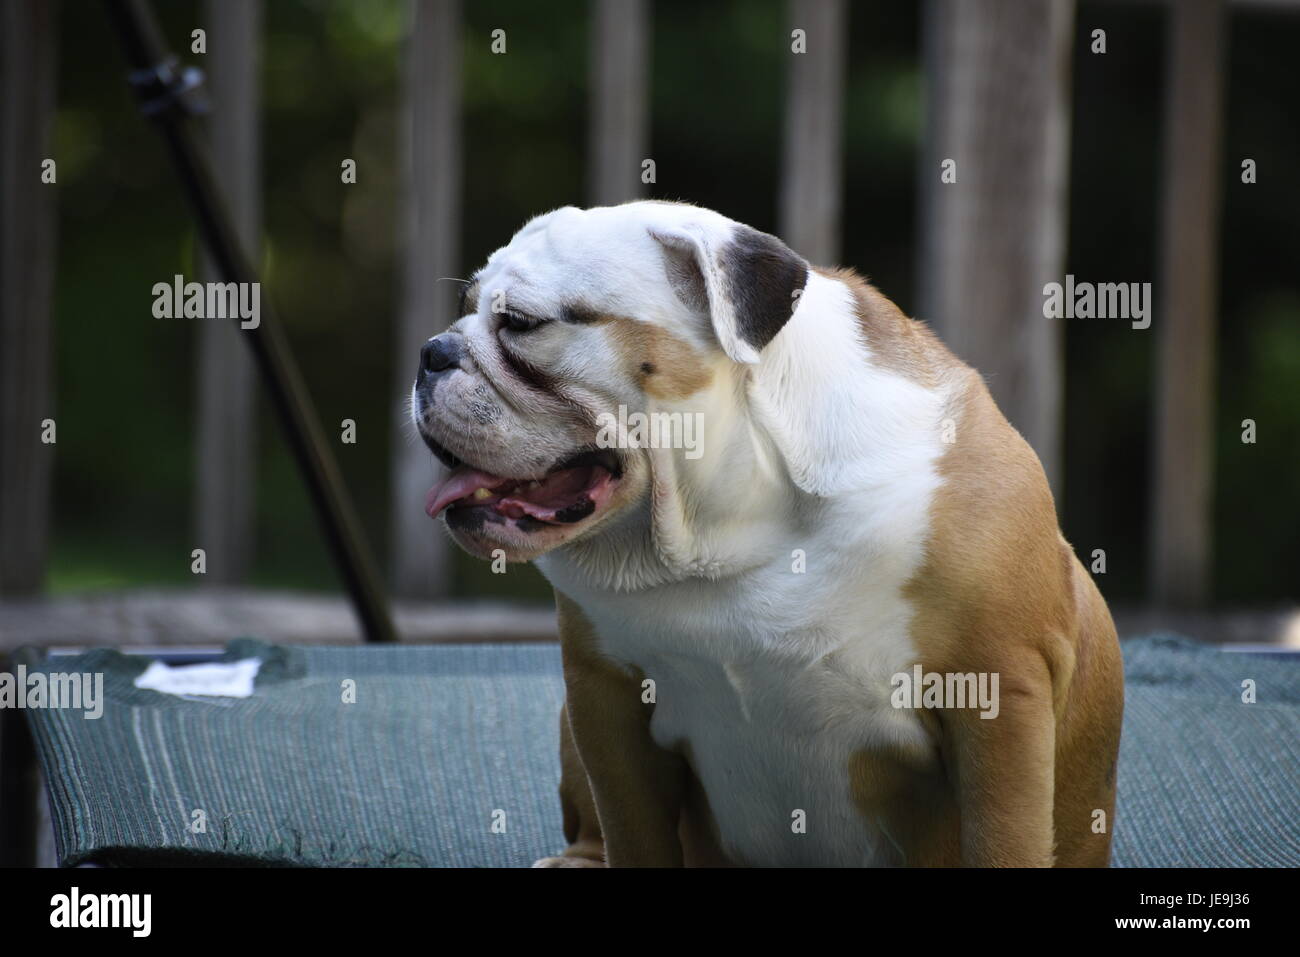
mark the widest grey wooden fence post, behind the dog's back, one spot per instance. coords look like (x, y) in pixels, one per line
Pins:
(999, 106)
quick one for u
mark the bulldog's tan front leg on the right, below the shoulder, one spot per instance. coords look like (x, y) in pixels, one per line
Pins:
(1006, 777)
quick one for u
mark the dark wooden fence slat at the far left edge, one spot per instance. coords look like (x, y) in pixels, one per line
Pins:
(27, 275)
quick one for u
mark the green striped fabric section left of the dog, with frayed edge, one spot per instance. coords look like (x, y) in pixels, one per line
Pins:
(448, 757)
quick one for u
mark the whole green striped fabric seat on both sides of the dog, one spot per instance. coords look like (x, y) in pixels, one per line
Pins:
(448, 757)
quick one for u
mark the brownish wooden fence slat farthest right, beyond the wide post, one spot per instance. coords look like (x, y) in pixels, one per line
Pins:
(1181, 553)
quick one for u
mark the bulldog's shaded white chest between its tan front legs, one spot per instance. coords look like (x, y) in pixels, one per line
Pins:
(773, 716)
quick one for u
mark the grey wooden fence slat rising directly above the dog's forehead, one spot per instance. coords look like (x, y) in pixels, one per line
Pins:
(619, 114)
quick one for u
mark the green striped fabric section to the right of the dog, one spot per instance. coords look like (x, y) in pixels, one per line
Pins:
(1207, 781)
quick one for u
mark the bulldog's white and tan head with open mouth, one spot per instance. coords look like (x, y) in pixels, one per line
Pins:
(586, 319)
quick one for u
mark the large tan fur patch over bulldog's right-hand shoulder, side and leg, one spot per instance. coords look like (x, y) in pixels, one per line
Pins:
(1003, 592)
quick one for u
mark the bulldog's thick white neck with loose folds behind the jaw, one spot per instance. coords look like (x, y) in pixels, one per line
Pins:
(814, 426)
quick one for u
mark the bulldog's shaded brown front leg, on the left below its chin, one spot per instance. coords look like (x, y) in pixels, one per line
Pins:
(638, 787)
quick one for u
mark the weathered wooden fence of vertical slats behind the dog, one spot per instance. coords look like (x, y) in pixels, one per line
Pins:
(998, 102)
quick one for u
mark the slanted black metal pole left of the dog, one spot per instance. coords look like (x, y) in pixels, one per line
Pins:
(167, 97)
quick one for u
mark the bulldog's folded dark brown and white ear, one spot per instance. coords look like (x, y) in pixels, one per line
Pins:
(749, 283)
